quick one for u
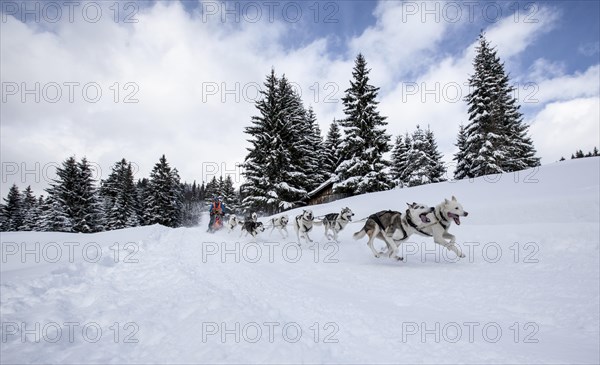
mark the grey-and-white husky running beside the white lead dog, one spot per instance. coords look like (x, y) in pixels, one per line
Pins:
(386, 223)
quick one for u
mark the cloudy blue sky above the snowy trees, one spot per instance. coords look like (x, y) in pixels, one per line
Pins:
(180, 80)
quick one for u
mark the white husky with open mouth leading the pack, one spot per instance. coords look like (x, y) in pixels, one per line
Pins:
(445, 213)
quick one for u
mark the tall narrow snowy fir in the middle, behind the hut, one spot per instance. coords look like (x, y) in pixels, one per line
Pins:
(362, 168)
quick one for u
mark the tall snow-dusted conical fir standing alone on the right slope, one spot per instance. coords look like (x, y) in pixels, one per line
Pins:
(495, 140)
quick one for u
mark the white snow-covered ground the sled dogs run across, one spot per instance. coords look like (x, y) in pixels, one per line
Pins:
(527, 292)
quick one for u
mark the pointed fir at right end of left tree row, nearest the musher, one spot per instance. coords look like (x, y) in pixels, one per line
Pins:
(164, 202)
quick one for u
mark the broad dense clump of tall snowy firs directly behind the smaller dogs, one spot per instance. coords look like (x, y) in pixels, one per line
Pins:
(282, 164)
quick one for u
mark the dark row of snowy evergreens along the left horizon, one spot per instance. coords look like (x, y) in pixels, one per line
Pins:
(75, 202)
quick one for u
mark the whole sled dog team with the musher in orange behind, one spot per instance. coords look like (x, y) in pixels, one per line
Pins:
(392, 227)
